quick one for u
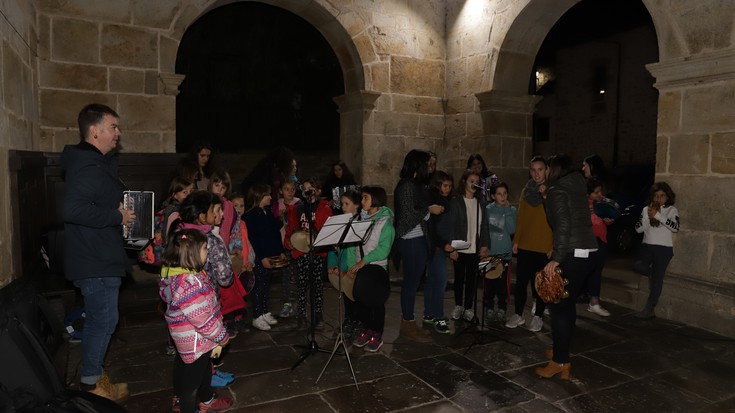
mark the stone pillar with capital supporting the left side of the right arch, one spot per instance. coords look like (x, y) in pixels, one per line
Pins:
(507, 122)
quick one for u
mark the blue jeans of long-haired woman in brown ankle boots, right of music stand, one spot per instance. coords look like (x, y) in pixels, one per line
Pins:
(414, 254)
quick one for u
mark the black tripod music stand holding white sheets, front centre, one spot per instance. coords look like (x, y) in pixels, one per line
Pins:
(341, 230)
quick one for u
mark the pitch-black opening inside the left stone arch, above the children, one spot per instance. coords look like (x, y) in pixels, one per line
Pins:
(257, 77)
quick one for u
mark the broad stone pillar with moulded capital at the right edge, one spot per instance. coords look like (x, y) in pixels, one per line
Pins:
(696, 156)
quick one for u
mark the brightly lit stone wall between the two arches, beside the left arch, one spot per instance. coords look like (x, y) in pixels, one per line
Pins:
(402, 48)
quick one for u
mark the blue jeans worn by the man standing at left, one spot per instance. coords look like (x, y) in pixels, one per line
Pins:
(100, 307)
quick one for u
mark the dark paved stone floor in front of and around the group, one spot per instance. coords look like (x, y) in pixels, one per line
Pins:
(619, 364)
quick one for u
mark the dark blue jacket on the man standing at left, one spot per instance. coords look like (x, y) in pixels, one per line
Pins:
(93, 241)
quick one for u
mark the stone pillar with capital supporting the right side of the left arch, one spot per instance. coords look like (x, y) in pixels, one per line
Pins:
(355, 109)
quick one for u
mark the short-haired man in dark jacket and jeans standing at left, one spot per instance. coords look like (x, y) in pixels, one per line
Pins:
(95, 259)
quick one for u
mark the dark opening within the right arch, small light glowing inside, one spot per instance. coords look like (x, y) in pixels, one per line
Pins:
(598, 98)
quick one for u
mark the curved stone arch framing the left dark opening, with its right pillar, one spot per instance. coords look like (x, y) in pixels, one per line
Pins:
(353, 106)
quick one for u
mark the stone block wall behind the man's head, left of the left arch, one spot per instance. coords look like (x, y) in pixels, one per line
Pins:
(112, 52)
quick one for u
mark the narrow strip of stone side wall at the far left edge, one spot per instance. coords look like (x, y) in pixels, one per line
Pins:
(19, 119)
